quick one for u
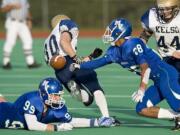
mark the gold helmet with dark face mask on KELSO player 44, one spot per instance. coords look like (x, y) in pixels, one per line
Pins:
(167, 10)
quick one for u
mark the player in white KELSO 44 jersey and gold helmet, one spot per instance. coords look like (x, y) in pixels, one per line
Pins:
(163, 21)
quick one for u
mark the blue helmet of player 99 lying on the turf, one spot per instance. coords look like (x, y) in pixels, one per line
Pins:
(50, 87)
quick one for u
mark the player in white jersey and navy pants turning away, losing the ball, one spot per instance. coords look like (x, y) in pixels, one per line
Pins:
(82, 84)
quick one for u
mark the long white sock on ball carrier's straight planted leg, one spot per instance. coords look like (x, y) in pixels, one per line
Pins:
(101, 103)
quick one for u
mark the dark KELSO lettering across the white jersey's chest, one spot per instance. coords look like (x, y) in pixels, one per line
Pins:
(162, 29)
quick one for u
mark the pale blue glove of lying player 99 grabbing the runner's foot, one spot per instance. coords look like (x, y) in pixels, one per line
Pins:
(106, 121)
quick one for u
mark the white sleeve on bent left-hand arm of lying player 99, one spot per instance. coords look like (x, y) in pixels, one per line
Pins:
(33, 124)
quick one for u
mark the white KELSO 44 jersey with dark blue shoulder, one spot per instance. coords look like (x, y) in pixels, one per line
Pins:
(167, 34)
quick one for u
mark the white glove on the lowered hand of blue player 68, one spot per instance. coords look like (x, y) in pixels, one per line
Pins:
(137, 96)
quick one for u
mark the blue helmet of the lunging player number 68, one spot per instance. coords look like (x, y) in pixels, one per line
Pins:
(118, 29)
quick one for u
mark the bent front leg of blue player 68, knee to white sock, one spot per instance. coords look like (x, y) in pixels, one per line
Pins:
(148, 106)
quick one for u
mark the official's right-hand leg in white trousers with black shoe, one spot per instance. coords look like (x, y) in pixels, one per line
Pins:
(25, 35)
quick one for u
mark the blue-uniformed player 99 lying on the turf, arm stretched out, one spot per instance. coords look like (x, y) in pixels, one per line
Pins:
(37, 110)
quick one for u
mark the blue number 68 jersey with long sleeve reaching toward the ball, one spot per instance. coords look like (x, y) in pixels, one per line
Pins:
(130, 55)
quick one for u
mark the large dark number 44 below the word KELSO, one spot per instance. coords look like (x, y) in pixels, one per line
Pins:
(175, 42)
